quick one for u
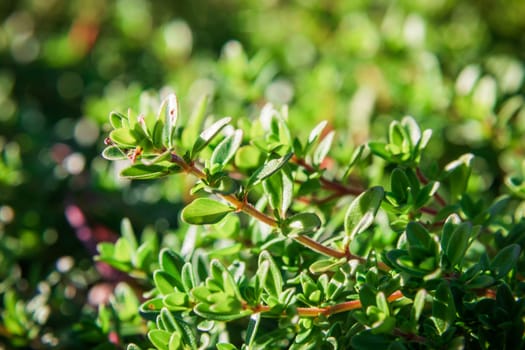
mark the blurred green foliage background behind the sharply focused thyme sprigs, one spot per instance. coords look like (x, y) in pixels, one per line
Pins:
(456, 66)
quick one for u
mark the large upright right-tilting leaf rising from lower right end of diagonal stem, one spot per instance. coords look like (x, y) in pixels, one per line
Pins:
(361, 213)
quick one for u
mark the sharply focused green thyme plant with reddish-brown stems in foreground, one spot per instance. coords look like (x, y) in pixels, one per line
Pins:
(299, 243)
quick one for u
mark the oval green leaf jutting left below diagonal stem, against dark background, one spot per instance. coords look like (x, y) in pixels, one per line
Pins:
(205, 211)
